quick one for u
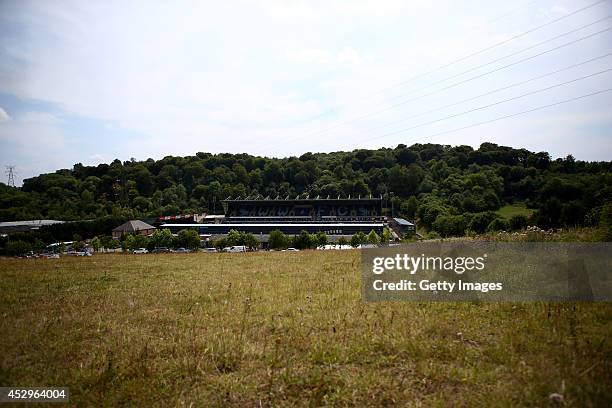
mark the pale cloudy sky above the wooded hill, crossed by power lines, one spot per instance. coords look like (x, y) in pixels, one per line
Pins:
(88, 82)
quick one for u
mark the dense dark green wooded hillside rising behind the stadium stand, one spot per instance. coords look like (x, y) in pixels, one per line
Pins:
(447, 189)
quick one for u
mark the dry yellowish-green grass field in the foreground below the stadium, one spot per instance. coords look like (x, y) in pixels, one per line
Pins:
(283, 329)
